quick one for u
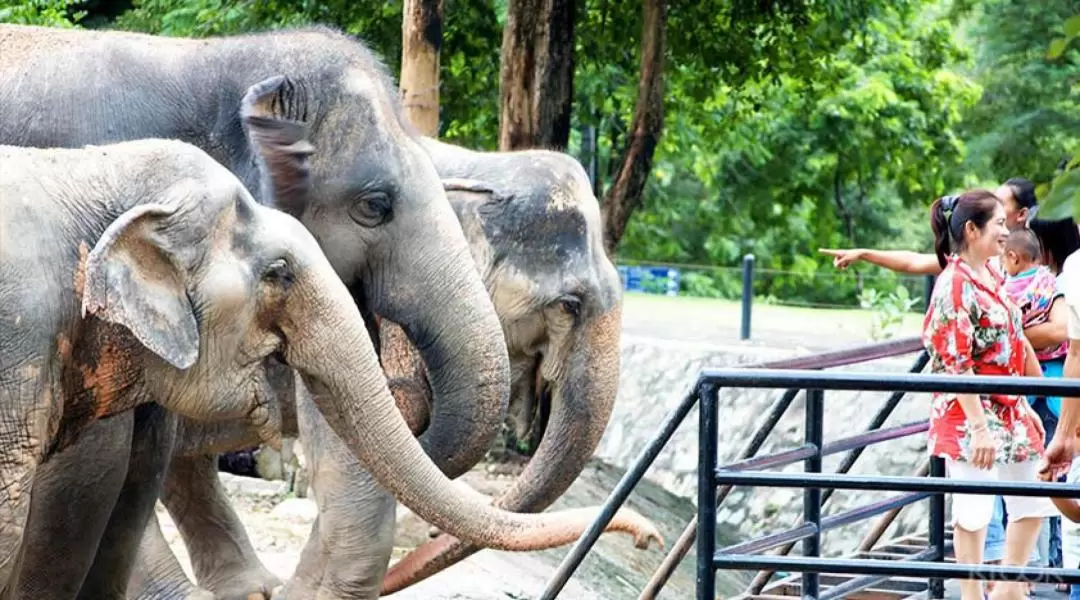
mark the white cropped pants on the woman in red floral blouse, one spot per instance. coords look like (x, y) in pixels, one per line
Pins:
(974, 512)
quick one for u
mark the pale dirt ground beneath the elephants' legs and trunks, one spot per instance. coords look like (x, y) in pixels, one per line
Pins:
(279, 525)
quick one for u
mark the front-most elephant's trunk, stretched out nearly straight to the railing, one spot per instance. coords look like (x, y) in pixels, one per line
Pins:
(331, 349)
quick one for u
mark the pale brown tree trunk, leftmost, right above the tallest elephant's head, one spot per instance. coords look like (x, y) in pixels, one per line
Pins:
(422, 39)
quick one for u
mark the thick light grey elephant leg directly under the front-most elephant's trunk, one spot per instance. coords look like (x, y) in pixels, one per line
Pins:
(354, 537)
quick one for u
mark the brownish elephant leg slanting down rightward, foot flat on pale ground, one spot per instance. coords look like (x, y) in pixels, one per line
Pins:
(223, 557)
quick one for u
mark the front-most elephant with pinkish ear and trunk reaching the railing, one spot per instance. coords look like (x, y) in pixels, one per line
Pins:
(165, 280)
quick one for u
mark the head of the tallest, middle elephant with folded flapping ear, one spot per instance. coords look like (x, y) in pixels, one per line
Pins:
(347, 166)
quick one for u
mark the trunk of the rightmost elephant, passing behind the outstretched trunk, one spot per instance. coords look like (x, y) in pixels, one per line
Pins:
(583, 404)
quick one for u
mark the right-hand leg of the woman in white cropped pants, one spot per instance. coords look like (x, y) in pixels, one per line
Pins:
(1025, 519)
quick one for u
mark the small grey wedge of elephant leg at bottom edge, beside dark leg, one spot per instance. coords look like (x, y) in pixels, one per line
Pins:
(158, 575)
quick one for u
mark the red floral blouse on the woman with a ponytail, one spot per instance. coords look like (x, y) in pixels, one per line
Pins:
(970, 325)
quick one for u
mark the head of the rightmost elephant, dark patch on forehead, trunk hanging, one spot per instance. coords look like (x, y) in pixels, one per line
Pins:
(534, 228)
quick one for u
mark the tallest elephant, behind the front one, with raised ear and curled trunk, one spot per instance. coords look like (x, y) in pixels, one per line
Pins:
(309, 113)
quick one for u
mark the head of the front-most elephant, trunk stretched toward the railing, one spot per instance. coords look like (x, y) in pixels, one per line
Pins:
(214, 285)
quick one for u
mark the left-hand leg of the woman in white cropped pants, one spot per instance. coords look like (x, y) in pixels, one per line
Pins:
(971, 515)
